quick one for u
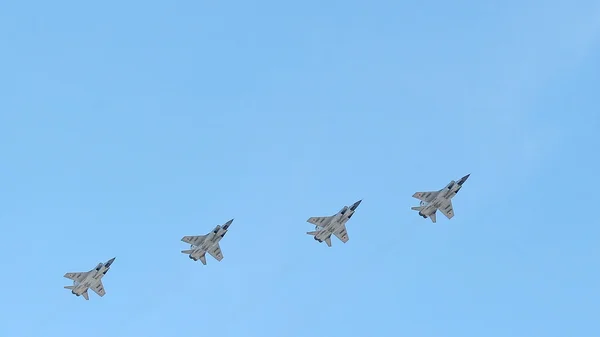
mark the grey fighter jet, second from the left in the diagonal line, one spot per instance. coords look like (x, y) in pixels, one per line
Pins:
(201, 244)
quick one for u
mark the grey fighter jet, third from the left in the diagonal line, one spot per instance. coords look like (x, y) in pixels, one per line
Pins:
(334, 224)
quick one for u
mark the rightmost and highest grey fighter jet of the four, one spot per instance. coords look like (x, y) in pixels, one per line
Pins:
(442, 200)
